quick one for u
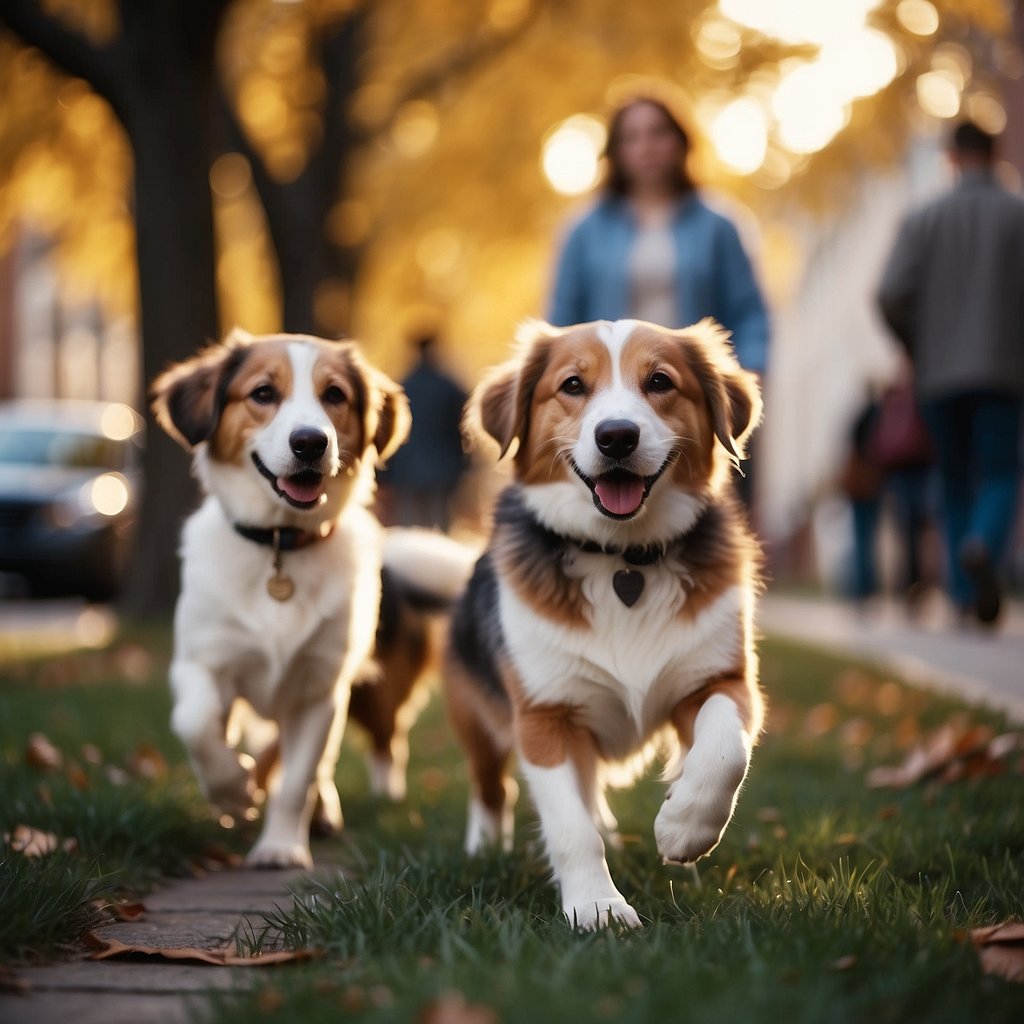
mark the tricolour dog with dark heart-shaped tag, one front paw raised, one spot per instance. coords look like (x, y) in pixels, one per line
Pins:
(613, 609)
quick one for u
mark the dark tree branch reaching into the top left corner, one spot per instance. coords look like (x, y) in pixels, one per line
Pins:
(105, 68)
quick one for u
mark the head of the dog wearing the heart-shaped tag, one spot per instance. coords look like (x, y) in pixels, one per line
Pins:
(618, 420)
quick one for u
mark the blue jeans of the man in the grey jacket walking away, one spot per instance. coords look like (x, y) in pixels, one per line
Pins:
(977, 443)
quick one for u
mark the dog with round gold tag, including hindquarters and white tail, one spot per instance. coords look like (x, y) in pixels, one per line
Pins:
(282, 574)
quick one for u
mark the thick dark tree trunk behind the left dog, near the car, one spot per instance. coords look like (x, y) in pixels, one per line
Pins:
(168, 121)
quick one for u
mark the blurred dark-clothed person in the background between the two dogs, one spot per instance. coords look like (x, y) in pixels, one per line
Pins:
(421, 478)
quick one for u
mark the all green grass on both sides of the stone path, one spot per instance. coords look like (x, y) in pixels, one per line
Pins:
(826, 902)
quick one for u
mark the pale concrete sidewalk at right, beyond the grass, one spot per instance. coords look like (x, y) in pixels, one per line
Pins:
(930, 649)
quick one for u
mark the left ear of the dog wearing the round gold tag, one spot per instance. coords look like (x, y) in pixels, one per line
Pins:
(187, 400)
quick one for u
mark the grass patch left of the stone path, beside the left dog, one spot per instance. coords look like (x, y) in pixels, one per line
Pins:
(107, 714)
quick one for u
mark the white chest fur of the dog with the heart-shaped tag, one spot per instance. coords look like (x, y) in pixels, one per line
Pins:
(632, 665)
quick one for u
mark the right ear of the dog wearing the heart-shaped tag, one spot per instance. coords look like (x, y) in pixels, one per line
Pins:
(734, 395)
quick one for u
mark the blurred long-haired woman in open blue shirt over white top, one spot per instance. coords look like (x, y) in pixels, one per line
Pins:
(652, 249)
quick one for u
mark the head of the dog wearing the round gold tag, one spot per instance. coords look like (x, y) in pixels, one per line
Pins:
(281, 424)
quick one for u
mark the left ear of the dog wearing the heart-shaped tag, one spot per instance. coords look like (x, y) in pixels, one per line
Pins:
(500, 407)
